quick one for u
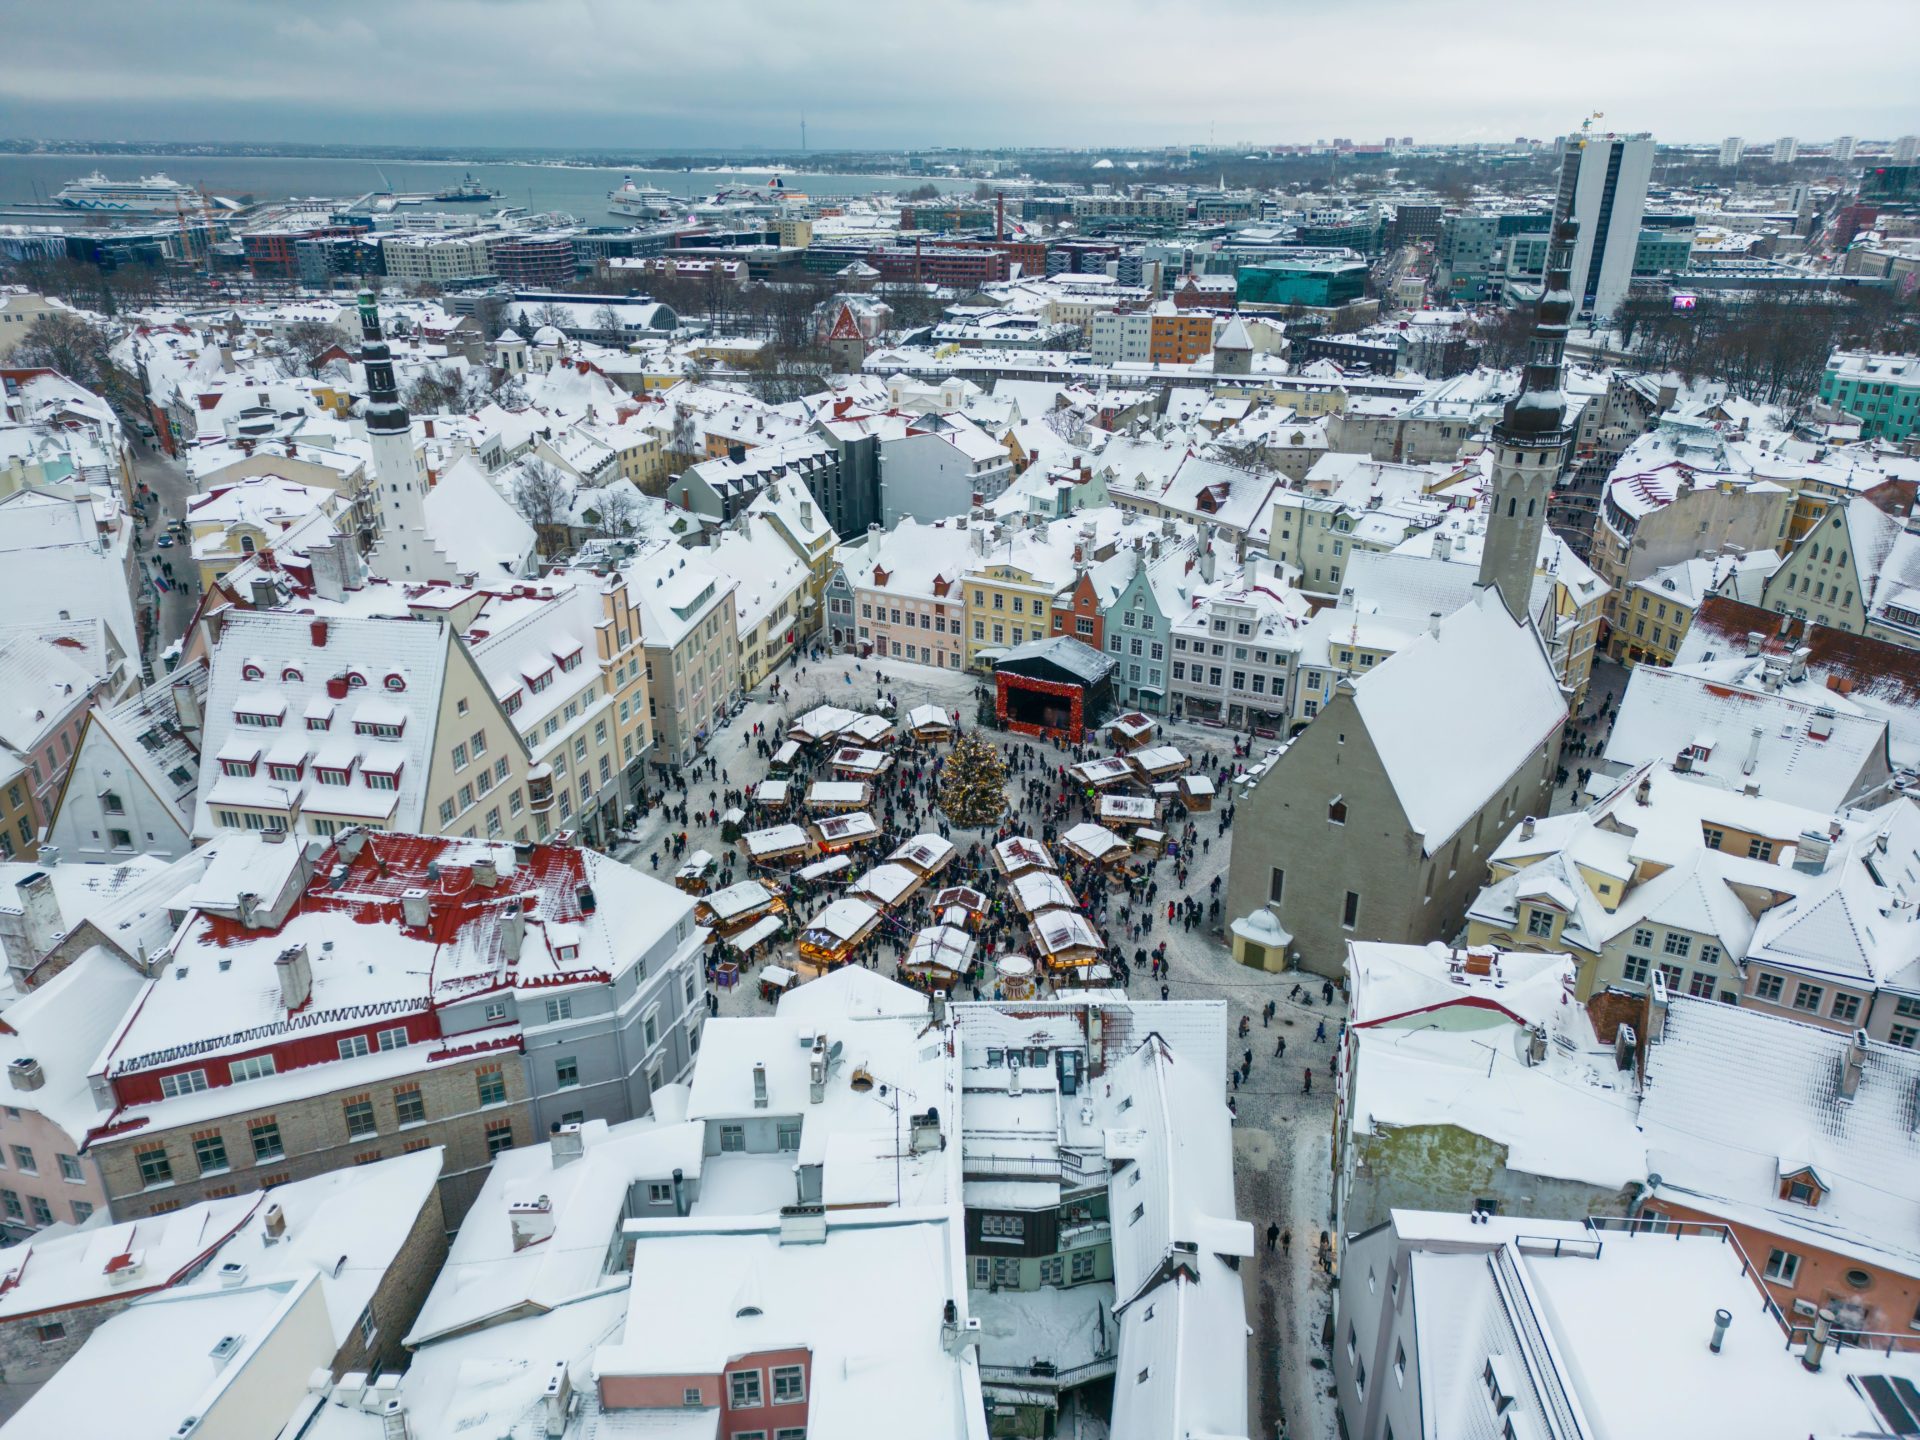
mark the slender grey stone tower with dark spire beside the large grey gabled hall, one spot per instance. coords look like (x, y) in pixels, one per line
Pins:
(1531, 437)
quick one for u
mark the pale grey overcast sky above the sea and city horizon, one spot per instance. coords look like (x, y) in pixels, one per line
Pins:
(640, 76)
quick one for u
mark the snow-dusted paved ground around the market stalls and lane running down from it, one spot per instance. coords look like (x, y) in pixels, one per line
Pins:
(1284, 1140)
